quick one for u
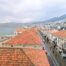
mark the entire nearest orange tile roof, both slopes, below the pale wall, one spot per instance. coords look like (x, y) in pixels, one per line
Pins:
(22, 57)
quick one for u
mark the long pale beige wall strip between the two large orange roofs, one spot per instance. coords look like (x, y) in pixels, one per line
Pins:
(22, 46)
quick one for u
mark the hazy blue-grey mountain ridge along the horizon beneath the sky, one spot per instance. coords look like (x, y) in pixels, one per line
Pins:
(18, 25)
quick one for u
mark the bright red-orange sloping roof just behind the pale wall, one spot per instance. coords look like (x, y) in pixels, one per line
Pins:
(27, 37)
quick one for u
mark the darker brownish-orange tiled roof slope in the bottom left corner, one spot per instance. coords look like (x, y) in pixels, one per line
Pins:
(14, 57)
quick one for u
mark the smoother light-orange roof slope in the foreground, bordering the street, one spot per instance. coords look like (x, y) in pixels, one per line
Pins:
(38, 57)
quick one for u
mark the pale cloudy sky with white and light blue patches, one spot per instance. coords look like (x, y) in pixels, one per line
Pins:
(25, 11)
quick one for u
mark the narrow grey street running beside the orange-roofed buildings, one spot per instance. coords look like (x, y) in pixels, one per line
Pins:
(51, 58)
